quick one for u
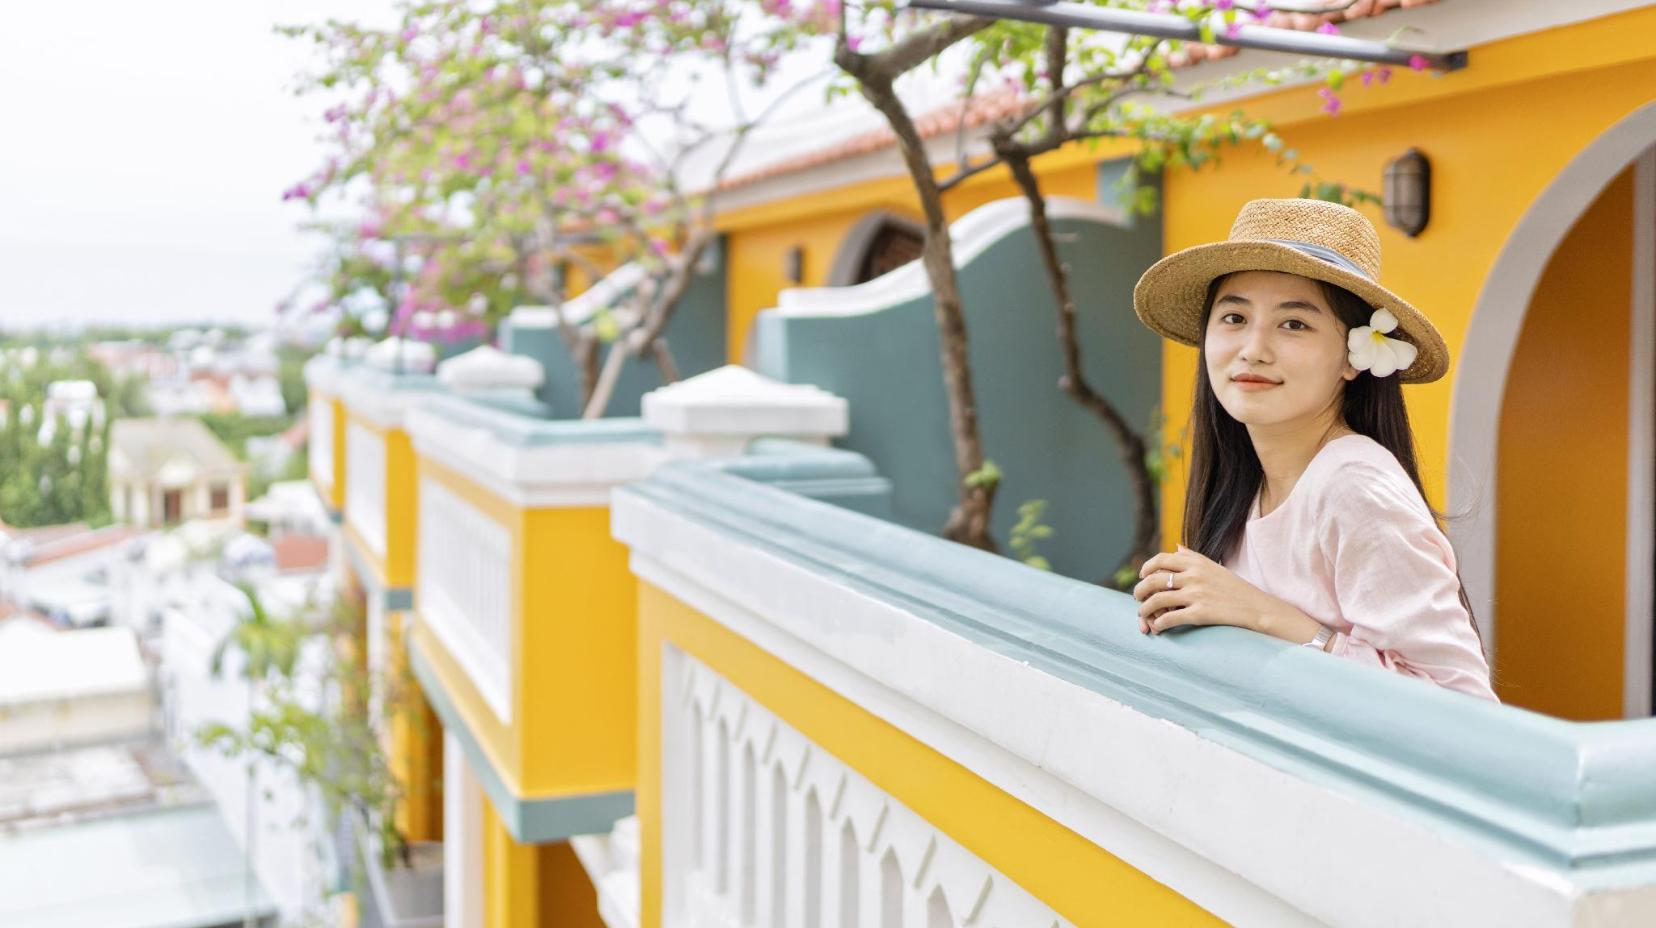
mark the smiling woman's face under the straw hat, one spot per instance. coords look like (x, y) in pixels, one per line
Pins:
(1279, 329)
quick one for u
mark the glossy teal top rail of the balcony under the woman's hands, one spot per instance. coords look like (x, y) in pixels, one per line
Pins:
(1569, 796)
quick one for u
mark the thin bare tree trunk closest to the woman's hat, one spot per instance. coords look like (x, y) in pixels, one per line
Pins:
(1147, 531)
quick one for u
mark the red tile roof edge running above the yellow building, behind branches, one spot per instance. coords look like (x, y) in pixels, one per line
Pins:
(1001, 105)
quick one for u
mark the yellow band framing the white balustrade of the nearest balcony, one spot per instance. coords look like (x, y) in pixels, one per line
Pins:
(1081, 881)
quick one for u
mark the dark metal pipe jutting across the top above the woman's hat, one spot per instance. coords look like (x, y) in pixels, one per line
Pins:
(1177, 27)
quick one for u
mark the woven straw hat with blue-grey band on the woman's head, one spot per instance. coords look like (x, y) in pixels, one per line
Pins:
(1316, 239)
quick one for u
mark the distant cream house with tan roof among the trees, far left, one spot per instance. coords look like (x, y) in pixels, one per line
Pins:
(170, 471)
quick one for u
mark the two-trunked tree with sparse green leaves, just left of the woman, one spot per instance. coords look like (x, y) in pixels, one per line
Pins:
(1061, 89)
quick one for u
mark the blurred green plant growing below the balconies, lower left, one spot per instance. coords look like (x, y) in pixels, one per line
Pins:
(314, 722)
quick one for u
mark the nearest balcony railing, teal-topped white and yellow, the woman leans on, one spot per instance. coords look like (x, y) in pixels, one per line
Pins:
(864, 725)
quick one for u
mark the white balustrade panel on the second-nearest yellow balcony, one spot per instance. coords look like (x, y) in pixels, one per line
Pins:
(465, 589)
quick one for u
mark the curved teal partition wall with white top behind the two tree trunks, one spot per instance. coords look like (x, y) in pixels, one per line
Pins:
(879, 349)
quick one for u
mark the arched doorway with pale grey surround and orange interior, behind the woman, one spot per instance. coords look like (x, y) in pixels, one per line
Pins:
(1551, 438)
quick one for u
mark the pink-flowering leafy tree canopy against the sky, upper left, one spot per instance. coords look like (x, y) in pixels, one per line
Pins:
(494, 145)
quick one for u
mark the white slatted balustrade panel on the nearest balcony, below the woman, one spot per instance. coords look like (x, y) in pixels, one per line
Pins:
(764, 828)
